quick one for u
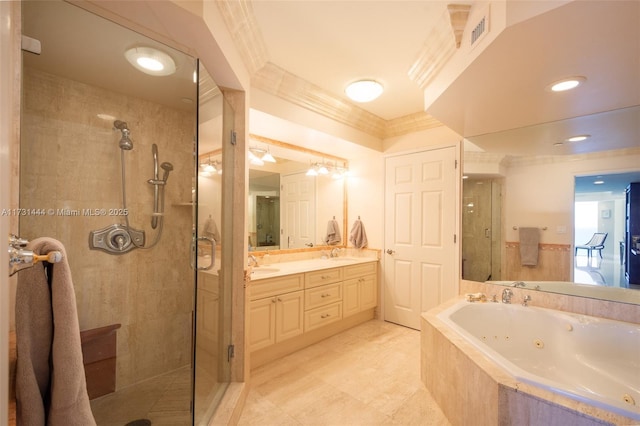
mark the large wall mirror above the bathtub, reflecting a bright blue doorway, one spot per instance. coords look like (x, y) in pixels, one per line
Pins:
(544, 191)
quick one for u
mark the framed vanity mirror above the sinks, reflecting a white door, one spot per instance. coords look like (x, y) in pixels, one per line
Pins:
(288, 208)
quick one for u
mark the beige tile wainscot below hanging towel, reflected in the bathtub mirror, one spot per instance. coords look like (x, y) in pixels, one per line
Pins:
(554, 262)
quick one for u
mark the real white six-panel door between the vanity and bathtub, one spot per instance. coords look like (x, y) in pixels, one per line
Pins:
(421, 255)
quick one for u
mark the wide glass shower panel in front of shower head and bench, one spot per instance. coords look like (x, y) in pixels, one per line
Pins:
(93, 128)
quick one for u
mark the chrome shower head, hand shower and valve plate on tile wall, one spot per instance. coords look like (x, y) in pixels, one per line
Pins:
(122, 238)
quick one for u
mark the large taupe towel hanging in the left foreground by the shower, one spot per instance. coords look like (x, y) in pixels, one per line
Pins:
(51, 387)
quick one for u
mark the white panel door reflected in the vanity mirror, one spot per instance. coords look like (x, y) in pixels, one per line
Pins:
(298, 199)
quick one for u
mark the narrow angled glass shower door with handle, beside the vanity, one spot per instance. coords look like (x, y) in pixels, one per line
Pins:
(213, 299)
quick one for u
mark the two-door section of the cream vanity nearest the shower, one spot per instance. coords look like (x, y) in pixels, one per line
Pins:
(276, 310)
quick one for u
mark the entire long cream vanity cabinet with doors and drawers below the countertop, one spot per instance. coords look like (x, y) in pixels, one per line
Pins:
(290, 312)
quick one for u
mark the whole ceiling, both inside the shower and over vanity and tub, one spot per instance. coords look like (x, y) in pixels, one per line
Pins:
(307, 51)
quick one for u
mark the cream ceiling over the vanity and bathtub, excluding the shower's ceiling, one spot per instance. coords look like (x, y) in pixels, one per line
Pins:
(331, 43)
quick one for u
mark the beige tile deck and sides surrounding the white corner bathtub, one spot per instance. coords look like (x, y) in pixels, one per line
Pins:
(471, 371)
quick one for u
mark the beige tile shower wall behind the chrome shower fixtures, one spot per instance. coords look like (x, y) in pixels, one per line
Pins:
(70, 160)
